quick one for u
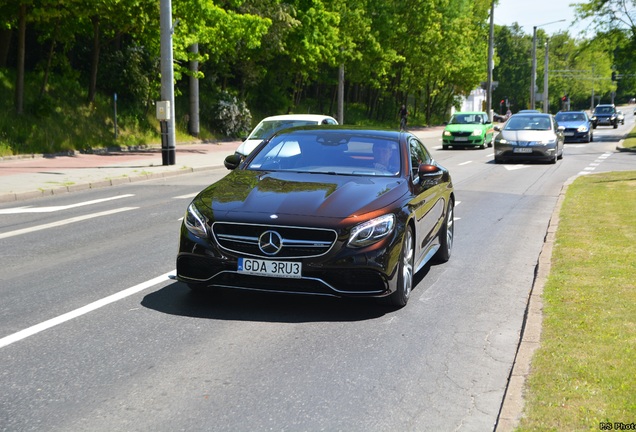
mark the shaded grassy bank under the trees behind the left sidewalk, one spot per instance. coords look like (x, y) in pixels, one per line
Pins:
(60, 121)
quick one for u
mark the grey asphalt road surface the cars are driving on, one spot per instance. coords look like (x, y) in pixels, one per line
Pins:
(94, 335)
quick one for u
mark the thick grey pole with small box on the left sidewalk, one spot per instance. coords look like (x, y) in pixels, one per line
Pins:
(168, 135)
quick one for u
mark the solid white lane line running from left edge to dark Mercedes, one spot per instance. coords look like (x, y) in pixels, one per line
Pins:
(23, 334)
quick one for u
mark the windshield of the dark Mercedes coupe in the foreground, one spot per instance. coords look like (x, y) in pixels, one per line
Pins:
(329, 153)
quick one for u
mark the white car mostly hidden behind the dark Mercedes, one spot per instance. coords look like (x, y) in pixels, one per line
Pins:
(270, 125)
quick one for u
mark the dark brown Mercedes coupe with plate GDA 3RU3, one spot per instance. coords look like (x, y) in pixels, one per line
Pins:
(329, 211)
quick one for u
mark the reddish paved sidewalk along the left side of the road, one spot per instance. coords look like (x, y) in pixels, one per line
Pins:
(24, 178)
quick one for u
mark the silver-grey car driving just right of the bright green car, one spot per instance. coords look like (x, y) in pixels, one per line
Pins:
(529, 136)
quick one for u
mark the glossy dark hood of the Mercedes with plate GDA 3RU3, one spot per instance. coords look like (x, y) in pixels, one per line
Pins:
(254, 196)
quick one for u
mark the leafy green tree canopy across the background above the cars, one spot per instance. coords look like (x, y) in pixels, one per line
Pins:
(282, 56)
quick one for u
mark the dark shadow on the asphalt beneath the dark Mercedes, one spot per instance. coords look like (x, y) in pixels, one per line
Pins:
(238, 305)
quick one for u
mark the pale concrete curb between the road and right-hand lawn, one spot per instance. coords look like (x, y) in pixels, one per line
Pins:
(511, 410)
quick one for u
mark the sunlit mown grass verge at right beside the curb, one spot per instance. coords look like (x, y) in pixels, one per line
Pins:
(583, 376)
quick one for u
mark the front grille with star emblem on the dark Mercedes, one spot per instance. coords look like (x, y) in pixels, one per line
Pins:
(288, 242)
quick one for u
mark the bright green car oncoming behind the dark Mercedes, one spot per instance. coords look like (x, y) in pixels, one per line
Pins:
(468, 129)
